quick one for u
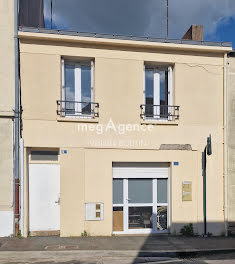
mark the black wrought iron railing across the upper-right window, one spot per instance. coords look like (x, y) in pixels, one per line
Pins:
(167, 112)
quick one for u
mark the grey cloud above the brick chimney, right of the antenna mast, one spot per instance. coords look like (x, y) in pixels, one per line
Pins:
(209, 13)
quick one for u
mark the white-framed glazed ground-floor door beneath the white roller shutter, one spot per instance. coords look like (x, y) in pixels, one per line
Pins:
(140, 205)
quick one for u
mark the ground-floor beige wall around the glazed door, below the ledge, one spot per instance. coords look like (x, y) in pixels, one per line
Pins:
(92, 182)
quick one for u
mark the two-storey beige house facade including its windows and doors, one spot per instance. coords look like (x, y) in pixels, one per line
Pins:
(114, 132)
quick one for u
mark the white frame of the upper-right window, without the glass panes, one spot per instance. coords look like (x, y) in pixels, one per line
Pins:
(156, 92)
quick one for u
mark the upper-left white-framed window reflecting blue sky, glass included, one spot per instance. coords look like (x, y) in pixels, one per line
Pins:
(77, 88)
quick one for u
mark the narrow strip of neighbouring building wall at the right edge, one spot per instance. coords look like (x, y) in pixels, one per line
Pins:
(231, 143)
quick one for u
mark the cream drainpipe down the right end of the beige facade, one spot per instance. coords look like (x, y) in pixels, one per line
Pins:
(225, 146)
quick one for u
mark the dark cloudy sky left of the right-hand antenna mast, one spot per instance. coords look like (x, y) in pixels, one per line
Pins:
(109, 17)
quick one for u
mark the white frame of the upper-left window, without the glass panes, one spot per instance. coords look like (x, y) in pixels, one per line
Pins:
(78, 88)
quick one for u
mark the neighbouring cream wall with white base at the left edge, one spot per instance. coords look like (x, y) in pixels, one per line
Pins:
(6, 115)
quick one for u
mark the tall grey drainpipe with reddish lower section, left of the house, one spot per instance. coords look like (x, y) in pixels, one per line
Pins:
(17, 113)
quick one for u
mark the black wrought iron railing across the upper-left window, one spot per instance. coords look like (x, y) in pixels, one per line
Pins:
(74, 108)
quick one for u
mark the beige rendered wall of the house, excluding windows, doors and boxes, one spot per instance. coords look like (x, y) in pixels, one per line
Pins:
(86, 171)
